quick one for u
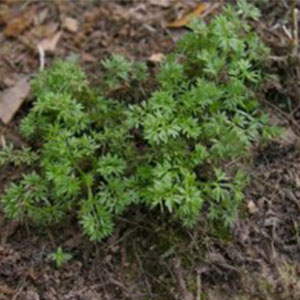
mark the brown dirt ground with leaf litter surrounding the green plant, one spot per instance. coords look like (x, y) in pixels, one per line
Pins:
(147, 258)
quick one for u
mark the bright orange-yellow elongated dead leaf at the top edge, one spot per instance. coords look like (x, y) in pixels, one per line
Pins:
(203, 9)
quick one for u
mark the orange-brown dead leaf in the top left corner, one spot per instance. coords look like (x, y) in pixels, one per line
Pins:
(19, 24)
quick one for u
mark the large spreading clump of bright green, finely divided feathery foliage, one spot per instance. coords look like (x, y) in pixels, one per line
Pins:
(98, 156)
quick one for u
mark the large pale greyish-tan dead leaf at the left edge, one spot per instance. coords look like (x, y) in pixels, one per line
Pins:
(11, 99)
